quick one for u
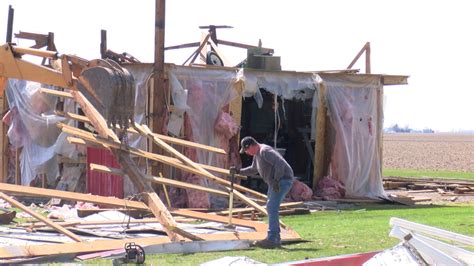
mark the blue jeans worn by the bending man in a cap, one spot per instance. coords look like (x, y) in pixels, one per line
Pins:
(273, 207)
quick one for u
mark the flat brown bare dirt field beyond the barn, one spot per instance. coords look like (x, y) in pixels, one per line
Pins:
(438, 152)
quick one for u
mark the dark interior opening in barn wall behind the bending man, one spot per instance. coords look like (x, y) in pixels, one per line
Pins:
(293, 136)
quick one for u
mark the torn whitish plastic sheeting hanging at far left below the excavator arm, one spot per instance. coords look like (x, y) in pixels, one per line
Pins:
(33, 128)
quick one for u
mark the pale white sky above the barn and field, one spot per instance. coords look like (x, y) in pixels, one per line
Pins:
(430, 41)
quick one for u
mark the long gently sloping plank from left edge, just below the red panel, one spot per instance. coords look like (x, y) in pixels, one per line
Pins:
(49, 193)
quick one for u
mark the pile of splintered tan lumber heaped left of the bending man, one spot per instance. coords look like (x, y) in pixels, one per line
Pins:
(106, 138)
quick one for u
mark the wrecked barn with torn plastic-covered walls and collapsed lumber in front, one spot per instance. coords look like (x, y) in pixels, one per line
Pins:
(181, 138)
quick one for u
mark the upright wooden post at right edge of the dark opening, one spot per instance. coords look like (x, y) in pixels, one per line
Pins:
(320, 144)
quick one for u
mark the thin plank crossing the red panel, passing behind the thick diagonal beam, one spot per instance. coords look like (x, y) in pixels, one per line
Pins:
(160, 180)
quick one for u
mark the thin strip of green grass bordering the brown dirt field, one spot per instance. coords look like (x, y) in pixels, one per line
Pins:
(427, 173)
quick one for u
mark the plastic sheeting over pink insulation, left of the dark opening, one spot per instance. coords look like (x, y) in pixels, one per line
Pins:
(202, 93)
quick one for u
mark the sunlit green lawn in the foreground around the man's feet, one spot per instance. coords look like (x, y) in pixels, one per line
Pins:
(362, 229)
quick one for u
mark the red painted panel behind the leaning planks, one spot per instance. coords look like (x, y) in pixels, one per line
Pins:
(101, 183)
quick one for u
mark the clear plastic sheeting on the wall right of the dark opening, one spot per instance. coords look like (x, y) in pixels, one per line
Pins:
(352, 107)
